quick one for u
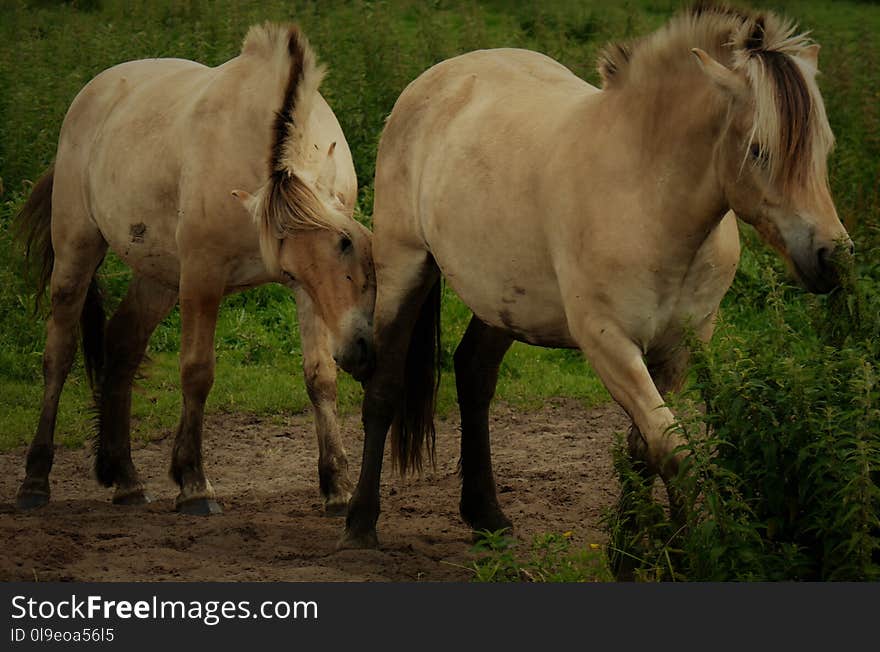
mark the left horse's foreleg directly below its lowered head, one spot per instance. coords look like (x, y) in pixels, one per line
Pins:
(320, 376)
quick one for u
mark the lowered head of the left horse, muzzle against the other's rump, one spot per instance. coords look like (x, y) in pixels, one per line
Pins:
(309, 239)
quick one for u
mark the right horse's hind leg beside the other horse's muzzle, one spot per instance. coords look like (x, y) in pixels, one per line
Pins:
(400, 295)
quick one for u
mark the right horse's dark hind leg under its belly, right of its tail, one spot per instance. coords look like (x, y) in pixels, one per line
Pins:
(477, 360)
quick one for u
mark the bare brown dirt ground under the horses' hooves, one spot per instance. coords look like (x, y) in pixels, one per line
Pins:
(553, 469)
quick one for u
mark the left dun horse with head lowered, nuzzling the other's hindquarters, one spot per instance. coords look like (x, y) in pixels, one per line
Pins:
(204, 181)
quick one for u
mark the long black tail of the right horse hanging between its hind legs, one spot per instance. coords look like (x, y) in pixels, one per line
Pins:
(413, 427)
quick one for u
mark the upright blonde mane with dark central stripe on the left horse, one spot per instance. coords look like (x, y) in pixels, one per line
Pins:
(289, 202)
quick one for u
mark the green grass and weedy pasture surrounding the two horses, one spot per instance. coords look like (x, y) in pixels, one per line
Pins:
(787, 479)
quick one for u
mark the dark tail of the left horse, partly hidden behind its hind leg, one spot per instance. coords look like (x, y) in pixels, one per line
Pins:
(33, 227)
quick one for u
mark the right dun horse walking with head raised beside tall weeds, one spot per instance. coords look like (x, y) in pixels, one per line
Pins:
(605, 220)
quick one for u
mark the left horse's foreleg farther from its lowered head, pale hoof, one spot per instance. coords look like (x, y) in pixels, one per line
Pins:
(200, 296)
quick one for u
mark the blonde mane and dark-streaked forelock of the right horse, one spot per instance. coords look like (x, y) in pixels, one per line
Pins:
(790, 125)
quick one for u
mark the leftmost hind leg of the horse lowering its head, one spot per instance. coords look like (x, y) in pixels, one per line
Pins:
(76, 257)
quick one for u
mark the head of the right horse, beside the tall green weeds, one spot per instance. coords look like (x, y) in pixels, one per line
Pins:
(774, 144)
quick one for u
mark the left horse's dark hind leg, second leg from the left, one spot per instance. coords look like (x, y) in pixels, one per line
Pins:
(126, 336)
